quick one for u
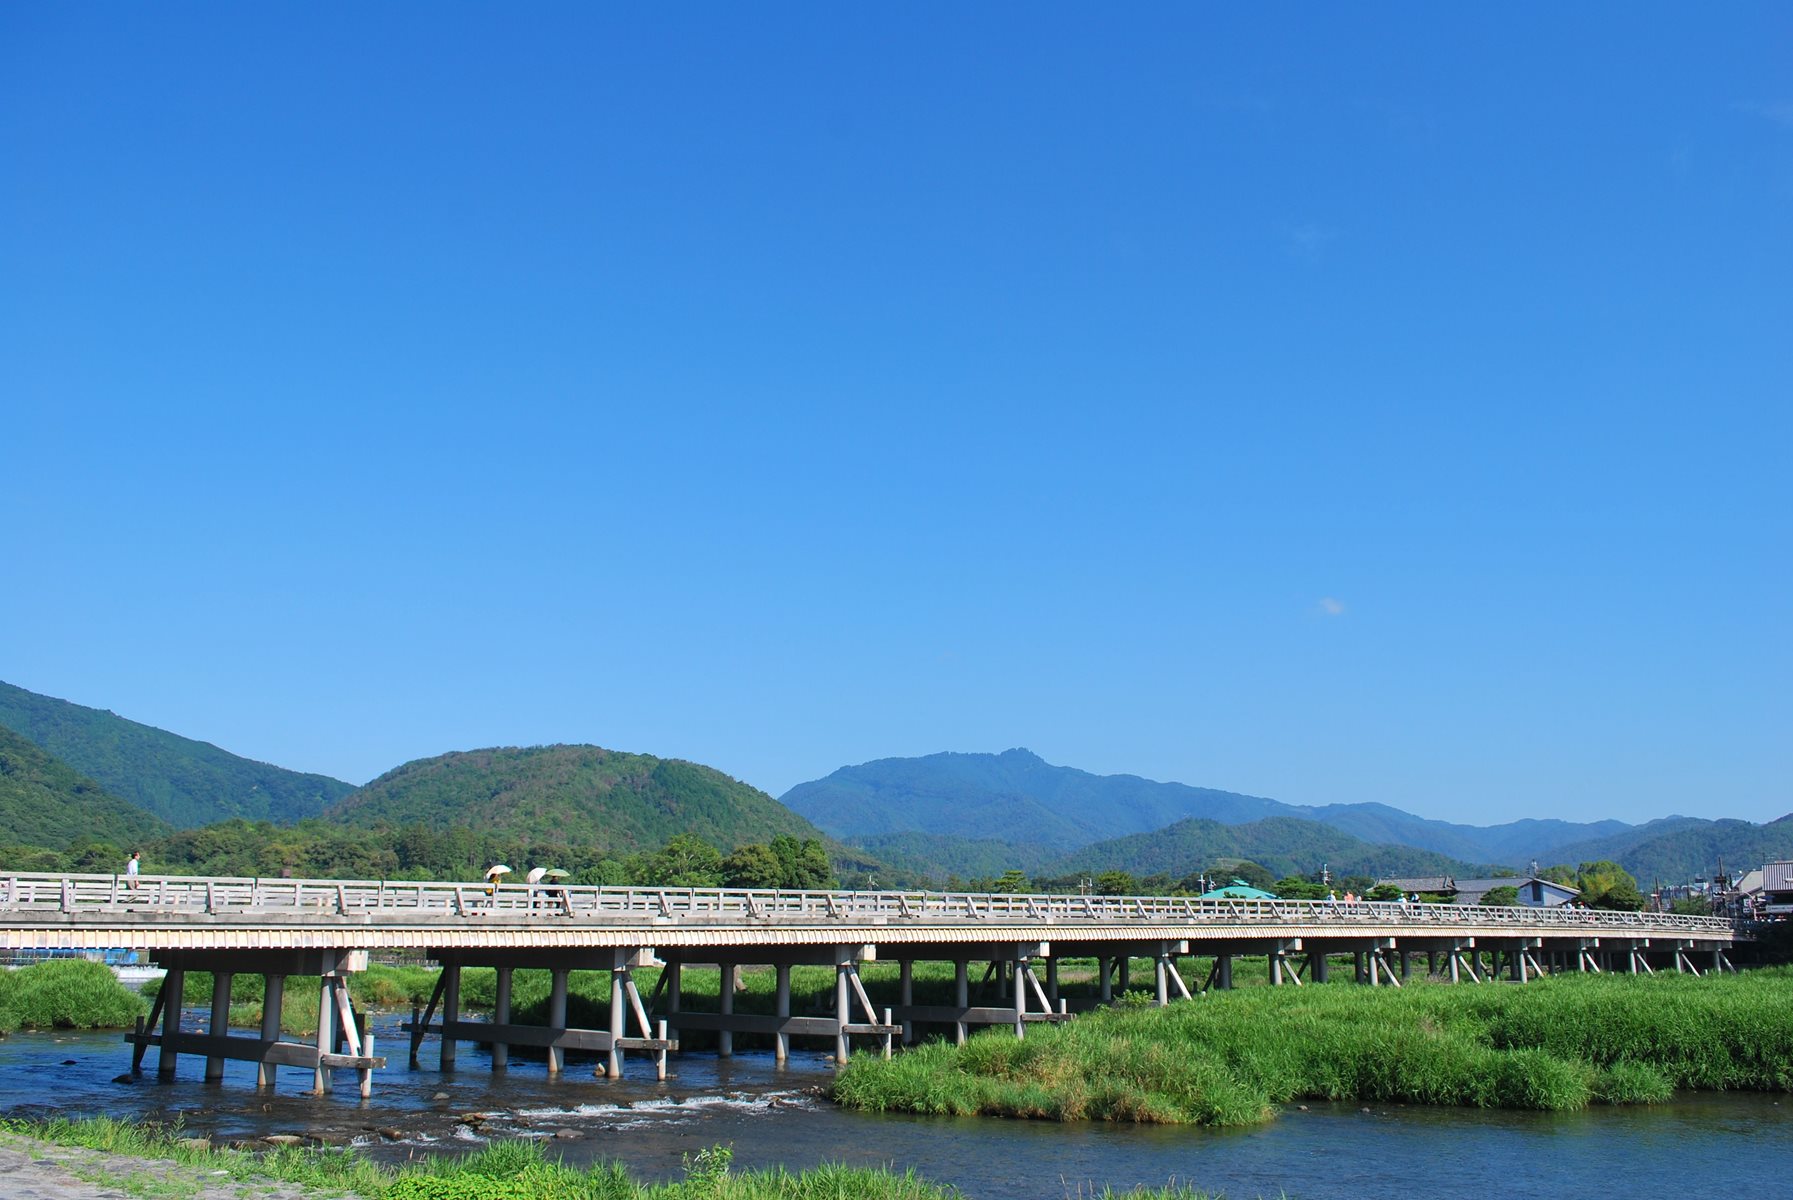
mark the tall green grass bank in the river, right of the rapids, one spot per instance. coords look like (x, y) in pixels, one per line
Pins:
(1233, 1057)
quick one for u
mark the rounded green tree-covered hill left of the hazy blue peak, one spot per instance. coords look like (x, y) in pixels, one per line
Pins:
(576, 796)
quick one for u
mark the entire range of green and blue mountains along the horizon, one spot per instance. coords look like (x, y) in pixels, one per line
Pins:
(73, 774)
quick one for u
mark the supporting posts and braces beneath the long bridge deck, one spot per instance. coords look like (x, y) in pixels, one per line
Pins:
(1012, 984)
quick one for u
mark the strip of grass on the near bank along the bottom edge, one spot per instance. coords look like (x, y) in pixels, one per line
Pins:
(517, 1170)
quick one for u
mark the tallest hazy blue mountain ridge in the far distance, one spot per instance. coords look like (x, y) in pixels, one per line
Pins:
(996, 796)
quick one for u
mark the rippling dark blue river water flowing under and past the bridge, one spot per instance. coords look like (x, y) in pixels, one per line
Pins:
(779, 1117)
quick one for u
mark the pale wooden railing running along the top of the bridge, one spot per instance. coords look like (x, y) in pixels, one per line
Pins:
(28, 892)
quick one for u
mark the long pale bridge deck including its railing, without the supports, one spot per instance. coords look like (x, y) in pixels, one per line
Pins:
(87, 912)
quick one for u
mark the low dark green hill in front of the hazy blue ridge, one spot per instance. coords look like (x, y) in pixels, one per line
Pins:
(1286, 846)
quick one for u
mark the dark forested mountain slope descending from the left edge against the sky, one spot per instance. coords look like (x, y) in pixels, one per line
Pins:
(182, 781)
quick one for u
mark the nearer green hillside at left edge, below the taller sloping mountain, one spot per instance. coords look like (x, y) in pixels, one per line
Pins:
(46, 803)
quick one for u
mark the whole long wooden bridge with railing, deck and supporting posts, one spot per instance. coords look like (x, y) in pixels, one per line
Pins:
(331, 928)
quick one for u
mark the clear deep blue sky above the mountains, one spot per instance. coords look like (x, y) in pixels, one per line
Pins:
(1383, 404)
